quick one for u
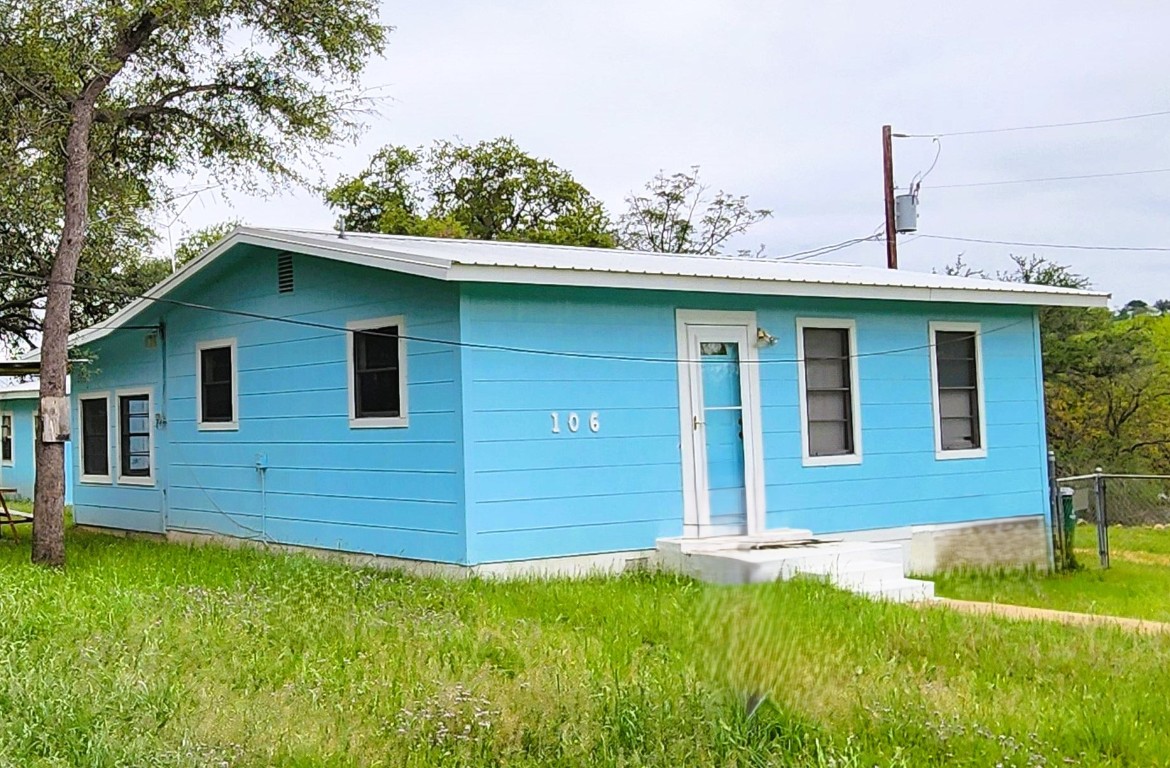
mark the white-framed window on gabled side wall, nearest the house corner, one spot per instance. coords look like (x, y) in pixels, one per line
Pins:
(377, 358)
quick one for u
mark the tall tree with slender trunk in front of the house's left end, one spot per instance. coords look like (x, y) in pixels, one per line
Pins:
(100, 94)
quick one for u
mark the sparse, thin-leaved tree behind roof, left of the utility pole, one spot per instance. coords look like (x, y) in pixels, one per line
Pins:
(677, 215)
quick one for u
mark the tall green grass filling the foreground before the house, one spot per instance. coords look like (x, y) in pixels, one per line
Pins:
(143, 654)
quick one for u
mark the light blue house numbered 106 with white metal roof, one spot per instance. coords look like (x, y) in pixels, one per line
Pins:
(484, 404)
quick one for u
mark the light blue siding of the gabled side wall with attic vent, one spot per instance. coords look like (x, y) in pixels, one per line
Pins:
(388, 491)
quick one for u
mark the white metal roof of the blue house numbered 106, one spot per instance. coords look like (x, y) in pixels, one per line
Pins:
(532, 264)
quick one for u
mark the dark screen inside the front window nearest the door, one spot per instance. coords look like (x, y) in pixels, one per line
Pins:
(829, 392)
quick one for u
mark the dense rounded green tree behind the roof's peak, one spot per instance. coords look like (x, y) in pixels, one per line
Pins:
(486, 191)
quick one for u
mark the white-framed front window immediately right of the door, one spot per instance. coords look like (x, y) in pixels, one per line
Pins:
(829, 392)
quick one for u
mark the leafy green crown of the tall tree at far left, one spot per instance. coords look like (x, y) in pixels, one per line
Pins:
(244, 91)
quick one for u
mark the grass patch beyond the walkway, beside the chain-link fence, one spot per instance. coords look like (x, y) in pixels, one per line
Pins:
(1137, 585)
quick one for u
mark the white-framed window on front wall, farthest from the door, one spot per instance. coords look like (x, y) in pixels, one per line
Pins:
(955, 368)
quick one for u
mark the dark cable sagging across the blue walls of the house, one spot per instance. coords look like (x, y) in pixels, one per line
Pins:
(448, 342)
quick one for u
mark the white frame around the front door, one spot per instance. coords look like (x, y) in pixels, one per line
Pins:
(742, 325)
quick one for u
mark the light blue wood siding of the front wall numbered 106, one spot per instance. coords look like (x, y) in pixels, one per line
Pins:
(536, 495)
